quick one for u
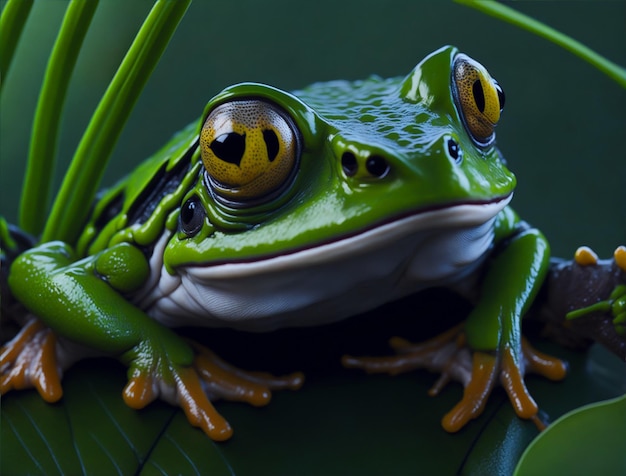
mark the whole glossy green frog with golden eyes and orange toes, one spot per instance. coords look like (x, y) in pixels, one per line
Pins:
(292, 209)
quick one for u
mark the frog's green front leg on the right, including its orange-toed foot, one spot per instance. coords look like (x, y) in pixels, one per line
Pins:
(488, 348)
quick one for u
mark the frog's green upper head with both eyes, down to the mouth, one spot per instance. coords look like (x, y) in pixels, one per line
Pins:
(290, 172)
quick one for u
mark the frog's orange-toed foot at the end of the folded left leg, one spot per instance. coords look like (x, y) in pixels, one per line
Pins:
(193, 387)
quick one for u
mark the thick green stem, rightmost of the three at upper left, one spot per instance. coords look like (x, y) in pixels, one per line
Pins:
(71, 206)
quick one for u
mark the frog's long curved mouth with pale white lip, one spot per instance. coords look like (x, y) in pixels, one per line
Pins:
(464, 215)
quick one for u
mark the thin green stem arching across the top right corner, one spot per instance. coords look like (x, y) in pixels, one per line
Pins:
(503, 12)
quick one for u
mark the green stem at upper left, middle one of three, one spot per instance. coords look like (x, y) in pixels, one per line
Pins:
(43, 141)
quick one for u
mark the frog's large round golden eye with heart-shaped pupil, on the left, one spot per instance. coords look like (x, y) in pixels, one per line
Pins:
(250, 150)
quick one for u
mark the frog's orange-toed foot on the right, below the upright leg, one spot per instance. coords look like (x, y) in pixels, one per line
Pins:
(478, 372)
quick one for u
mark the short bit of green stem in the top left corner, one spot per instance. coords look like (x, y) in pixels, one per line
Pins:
(14, 16)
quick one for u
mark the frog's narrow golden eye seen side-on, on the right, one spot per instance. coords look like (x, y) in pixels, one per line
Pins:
(479, 97)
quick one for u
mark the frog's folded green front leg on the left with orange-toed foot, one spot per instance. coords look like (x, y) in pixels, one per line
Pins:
(83, 301)
